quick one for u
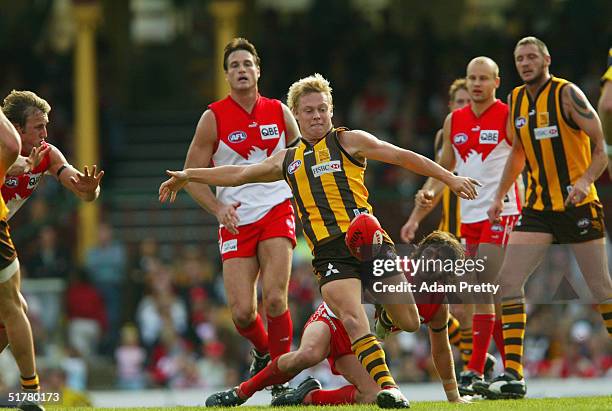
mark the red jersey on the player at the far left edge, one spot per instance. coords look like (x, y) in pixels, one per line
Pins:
(17, 189)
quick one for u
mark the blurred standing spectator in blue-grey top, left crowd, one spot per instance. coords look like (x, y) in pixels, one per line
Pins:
(106, 264)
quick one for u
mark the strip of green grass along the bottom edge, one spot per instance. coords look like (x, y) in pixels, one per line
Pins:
(529, 404)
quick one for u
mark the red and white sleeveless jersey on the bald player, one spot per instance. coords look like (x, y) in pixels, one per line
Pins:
(481, 150)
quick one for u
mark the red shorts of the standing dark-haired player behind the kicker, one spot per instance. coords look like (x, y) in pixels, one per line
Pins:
(278, 222)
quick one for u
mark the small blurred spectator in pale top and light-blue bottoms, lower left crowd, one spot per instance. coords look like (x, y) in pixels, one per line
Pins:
(130, 358)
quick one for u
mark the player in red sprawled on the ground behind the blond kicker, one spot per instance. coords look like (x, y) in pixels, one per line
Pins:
(324, 336)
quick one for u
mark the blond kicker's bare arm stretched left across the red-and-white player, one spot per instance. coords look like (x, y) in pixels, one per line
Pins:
(224, 176)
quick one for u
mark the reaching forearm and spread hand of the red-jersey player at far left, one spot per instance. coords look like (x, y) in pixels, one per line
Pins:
(85, 184)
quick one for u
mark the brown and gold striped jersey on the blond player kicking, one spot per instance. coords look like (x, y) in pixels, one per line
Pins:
(327, 184)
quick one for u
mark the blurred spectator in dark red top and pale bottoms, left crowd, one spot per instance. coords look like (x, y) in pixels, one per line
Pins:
(86, 312)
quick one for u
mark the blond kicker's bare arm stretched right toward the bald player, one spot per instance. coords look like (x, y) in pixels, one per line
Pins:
(364, 145)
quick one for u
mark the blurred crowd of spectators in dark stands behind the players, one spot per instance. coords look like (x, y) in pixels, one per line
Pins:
(152, 314)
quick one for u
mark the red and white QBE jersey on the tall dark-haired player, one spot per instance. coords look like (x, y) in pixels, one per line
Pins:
(248, 138)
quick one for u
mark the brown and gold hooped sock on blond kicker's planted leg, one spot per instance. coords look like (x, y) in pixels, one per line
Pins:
(372, 357)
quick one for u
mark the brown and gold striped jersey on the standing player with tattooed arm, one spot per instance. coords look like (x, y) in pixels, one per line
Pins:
(557, 151)
